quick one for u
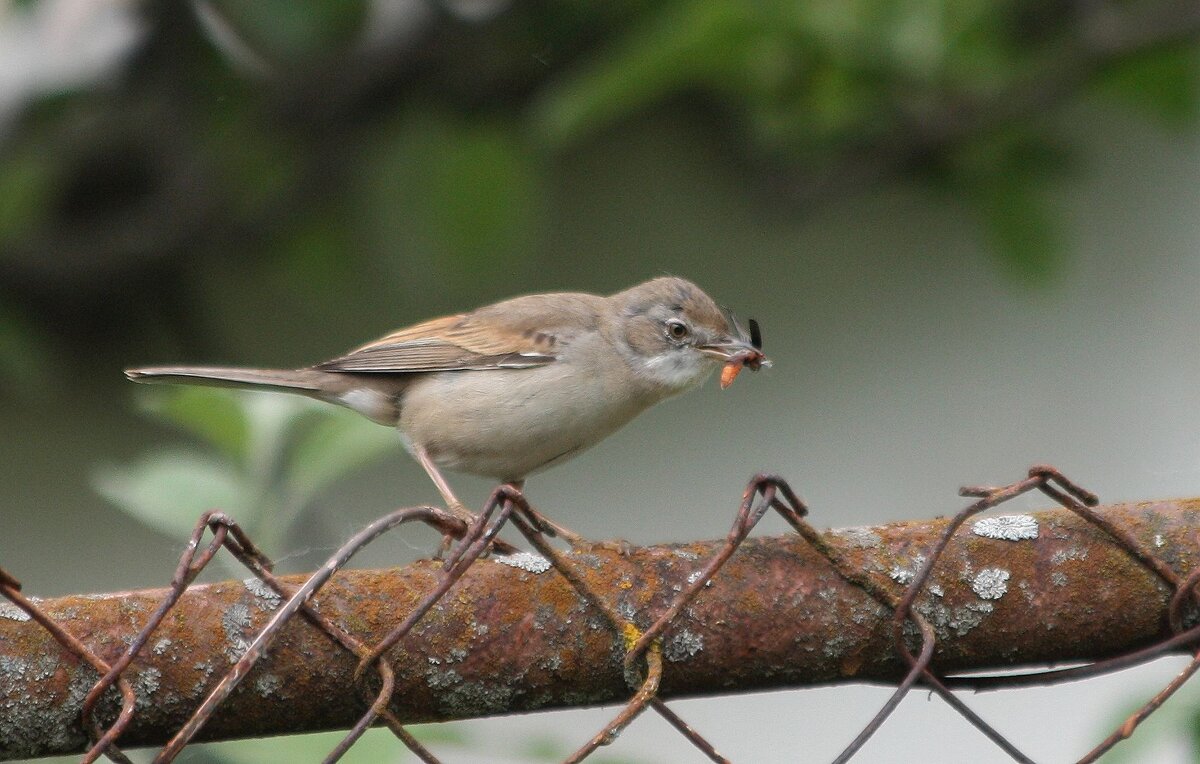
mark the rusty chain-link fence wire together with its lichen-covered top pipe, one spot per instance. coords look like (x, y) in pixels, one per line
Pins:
(903, 619)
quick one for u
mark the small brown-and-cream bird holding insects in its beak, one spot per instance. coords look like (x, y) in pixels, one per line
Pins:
(518, 387)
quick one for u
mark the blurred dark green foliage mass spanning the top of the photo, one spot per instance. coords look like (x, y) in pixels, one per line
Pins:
(326, 147)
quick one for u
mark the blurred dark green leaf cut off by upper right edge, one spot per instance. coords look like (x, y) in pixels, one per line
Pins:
(1165, 85)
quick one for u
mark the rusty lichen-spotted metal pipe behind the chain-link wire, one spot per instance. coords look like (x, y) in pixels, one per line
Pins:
(513, 636)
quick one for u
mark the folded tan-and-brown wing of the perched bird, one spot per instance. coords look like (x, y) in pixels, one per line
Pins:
(502, 336)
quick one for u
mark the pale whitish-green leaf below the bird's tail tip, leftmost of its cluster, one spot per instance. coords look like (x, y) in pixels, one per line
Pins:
(170, 491)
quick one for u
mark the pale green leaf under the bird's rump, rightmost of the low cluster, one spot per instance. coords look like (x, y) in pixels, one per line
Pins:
(332, 449)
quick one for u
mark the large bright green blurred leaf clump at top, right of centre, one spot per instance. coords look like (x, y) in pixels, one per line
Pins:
(806, 77)
